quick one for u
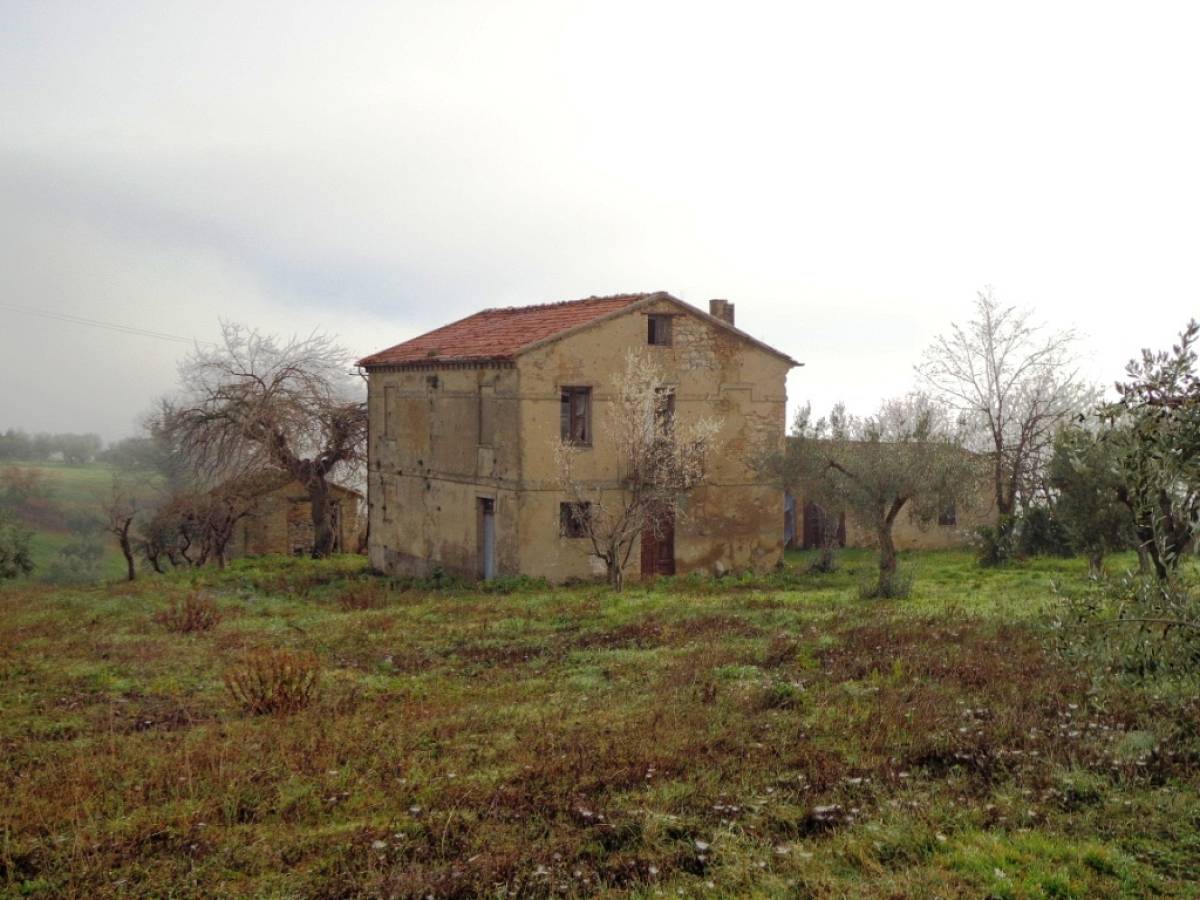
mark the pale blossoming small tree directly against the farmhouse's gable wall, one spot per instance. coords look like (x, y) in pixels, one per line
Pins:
(661, 460)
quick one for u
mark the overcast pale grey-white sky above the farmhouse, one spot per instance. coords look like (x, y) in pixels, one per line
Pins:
(849, 175)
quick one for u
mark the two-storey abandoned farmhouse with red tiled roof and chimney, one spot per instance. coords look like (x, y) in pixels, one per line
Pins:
(464, 424)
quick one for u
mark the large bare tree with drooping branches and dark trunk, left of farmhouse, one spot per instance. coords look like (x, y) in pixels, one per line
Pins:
(256, 405)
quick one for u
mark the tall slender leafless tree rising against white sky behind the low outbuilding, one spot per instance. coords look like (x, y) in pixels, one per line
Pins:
(1015, 385)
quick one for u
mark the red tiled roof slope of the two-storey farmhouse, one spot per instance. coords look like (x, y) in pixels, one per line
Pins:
(500, 334)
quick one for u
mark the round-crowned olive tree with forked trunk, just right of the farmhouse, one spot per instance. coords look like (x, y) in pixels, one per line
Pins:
(907, 457)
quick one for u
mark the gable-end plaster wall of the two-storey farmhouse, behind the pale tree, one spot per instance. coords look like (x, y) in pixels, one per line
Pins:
(734, 521)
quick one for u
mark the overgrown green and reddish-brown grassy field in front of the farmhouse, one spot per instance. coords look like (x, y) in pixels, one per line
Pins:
(758, 737)
